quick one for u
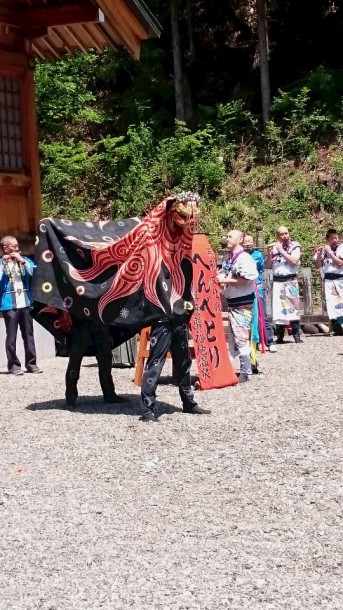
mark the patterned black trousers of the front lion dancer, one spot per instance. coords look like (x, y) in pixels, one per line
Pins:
(168, 336)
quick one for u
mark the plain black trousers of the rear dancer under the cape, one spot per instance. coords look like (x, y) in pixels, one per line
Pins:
(86, 333)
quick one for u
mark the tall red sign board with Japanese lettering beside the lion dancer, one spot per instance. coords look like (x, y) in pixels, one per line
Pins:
(210, 347)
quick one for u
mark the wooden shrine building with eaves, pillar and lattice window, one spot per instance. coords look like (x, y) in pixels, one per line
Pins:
(48, 29)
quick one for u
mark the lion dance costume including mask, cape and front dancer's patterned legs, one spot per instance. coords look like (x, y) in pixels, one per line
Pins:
(128, 274)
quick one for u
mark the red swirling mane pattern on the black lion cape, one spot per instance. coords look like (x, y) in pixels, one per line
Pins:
(139, 256)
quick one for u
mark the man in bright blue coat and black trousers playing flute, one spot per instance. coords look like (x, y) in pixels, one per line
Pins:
(15, 301)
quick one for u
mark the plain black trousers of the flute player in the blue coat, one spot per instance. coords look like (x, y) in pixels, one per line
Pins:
(22, 318)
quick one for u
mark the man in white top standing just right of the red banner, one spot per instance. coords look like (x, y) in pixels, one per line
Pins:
(238, 277)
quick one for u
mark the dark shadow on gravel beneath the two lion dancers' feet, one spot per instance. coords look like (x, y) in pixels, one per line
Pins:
(93, 405)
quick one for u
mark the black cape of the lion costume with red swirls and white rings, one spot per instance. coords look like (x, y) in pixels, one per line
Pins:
(127, 273)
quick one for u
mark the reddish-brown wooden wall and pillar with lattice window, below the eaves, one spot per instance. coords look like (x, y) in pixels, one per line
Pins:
(19, 159)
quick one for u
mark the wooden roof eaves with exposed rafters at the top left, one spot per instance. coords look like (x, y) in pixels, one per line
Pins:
(59, 27)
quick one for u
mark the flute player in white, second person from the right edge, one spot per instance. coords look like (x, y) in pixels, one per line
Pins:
(284, 259)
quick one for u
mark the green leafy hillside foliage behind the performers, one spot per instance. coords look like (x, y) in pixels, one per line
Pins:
(110, 144)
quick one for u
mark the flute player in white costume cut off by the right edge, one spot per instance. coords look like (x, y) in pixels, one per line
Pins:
(329, 259)
